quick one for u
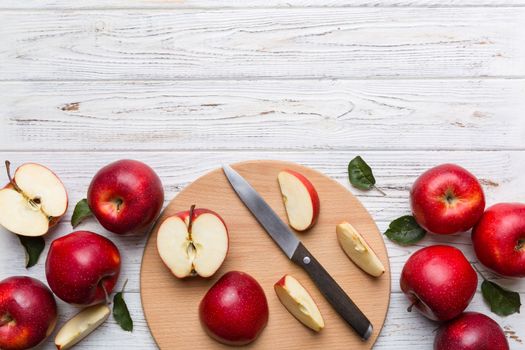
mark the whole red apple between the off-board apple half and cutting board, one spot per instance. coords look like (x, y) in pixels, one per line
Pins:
(126, 196)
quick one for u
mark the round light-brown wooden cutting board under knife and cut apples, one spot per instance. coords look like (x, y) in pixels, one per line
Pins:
(171, 305)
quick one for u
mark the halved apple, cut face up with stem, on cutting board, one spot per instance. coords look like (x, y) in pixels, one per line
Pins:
(193, 247)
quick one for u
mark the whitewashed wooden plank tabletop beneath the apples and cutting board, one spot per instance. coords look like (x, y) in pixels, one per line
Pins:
(188, 85)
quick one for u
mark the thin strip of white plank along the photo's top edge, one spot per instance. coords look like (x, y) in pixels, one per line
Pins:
(122, 4)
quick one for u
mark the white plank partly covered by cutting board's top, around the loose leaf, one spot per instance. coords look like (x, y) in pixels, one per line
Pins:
(499, 171)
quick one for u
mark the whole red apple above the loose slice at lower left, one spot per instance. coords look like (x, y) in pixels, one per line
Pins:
(80, 265)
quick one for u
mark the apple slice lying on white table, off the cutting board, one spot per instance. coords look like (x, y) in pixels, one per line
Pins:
(80, 326)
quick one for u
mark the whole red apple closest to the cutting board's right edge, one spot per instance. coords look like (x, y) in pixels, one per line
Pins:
(439, 281)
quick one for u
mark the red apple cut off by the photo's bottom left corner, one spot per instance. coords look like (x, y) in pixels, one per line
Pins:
(32, 309)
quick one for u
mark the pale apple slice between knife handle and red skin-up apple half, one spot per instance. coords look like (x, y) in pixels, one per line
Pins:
(299, 303)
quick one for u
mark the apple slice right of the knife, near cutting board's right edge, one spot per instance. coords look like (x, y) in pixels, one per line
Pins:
(358, 250)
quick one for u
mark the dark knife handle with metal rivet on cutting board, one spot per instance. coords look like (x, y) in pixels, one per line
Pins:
(335, 295)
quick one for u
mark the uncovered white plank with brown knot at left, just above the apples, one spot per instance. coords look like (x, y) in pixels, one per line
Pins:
(280, 115)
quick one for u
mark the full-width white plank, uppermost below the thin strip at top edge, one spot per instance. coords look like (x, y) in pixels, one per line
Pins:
(301, 43)
